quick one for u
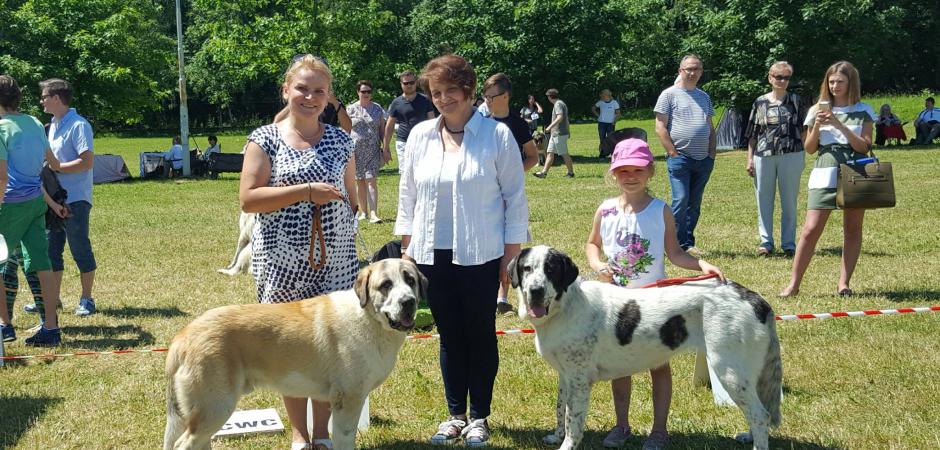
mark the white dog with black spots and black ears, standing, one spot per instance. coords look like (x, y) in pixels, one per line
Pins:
(591, 331)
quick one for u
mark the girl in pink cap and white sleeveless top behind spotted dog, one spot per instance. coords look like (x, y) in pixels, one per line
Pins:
(630, 236)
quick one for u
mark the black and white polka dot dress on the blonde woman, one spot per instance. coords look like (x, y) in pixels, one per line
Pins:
(281, 243)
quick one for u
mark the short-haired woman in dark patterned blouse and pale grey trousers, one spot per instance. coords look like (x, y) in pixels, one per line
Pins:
(775, 157)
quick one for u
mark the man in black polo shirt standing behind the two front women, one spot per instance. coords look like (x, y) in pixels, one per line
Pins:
(407, 110)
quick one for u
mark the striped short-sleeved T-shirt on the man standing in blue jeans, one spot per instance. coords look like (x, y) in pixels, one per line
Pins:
(689, 115)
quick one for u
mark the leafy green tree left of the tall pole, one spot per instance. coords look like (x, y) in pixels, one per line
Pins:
(110, 50)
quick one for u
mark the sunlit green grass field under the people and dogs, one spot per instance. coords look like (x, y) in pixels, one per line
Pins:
(853, 383)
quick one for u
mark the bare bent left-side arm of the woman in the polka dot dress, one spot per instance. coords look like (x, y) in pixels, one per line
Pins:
(256, 196)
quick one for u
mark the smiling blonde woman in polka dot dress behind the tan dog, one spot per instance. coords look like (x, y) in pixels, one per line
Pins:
(298, 175)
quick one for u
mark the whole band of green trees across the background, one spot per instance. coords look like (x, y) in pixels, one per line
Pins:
(120, 54)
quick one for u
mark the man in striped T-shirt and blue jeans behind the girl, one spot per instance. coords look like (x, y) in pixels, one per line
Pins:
(684, 126)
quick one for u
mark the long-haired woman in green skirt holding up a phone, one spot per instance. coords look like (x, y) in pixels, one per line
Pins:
(839, 128)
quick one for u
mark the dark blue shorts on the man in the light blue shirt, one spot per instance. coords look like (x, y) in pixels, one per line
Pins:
(76, 234)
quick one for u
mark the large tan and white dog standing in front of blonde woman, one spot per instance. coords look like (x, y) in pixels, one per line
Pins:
(336, 347)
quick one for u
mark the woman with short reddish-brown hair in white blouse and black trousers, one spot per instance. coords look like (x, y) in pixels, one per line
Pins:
(462, 215)
